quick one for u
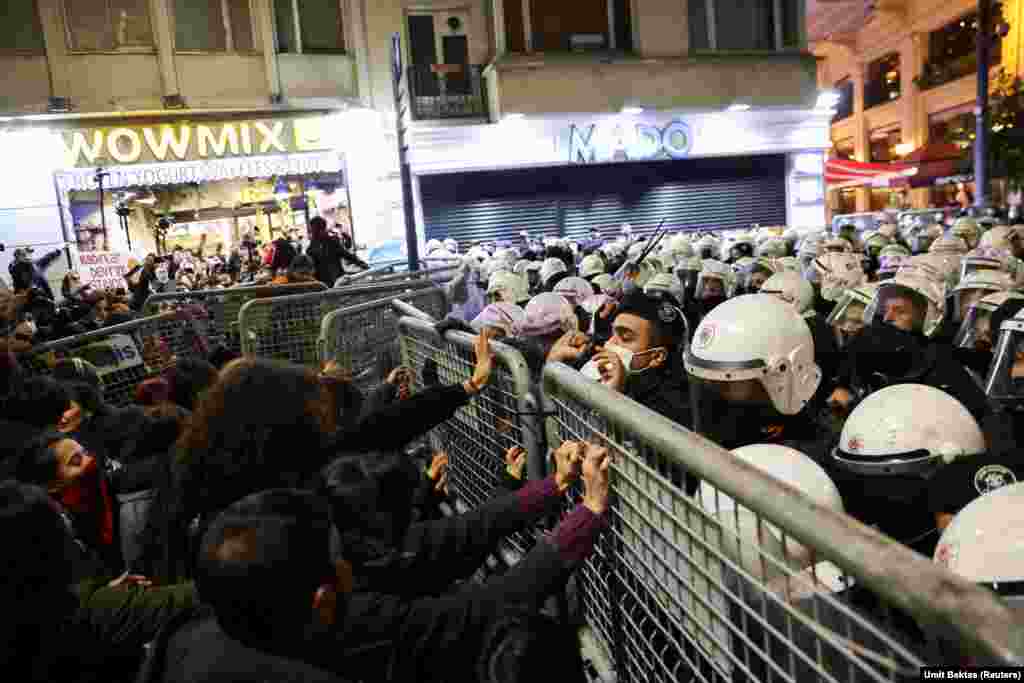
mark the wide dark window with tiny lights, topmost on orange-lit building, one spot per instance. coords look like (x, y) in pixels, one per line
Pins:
(953, 51)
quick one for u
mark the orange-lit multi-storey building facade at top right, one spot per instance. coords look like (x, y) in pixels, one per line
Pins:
(907, 77)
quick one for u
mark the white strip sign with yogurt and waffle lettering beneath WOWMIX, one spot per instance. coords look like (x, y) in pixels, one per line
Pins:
(148, 176)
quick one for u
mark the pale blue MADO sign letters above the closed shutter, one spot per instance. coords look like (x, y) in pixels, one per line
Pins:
(628, 142)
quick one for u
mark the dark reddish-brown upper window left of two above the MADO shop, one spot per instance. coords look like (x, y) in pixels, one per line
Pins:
(577, 26)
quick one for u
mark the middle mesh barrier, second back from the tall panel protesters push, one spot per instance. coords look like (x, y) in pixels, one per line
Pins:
(288, 328)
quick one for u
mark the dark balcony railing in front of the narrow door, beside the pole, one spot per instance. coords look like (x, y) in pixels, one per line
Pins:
(448, 92)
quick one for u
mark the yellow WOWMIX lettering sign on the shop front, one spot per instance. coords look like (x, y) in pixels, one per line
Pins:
(189, 142)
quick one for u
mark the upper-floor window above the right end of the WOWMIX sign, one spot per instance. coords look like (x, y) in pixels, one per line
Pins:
(310, 26)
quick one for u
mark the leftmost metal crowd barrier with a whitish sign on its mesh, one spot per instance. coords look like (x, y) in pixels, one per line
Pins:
(125, 355)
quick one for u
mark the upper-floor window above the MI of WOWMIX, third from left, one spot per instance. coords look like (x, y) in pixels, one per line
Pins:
(214, 26)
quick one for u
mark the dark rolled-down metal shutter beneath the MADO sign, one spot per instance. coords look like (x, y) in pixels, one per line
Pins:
(699, 194)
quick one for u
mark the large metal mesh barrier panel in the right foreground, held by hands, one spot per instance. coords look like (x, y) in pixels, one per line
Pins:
(751, 581)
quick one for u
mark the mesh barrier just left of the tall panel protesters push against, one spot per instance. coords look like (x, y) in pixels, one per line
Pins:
(356, 336)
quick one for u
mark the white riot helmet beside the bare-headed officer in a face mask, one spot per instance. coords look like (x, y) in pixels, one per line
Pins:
(758, 337)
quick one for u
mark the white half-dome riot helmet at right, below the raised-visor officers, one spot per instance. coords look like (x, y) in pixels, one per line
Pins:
(907, 430)
